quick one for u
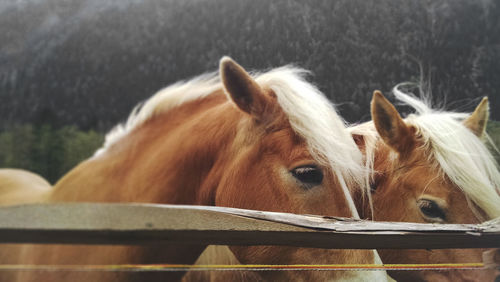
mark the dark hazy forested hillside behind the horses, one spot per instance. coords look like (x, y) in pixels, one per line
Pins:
(71, 69)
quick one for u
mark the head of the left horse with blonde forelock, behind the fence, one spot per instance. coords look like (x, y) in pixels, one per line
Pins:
(281, 162)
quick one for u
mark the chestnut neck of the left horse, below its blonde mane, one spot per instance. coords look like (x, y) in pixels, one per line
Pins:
(170, 158)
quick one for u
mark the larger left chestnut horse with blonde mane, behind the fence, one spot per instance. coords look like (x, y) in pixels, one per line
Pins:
(268, 141)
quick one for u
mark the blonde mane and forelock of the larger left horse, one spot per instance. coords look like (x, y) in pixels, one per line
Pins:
(310, 114)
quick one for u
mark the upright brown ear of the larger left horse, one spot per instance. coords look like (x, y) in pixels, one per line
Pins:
(242, 88)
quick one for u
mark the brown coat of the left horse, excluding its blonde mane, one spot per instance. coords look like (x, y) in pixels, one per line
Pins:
(207, 152)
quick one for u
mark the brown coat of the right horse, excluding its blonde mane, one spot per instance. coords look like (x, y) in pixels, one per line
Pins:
(403, 174)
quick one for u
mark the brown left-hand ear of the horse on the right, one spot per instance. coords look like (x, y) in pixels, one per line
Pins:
(390, 126)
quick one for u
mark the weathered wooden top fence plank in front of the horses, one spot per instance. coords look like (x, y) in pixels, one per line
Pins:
(98, 223)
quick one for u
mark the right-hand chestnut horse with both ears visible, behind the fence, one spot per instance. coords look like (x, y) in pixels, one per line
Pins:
(432, 167)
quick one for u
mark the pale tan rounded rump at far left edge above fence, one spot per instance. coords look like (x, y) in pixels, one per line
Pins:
(21, 186)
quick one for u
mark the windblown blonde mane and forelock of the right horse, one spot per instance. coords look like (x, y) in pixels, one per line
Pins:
(463, 157)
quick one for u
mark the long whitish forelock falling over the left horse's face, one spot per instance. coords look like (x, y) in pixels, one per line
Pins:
(313, 117)
